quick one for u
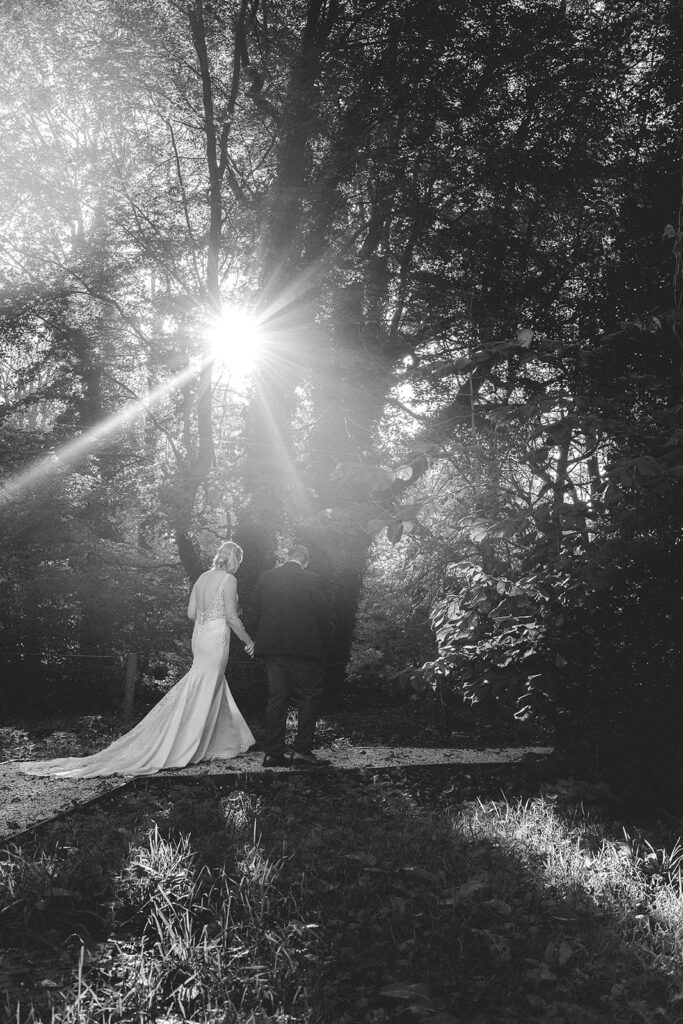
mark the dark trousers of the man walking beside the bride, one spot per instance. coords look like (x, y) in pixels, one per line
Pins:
(298, 678)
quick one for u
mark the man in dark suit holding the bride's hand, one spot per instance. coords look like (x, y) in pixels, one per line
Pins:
(293, 621)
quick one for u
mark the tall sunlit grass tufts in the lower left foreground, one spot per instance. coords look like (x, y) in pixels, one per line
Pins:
(193, 944)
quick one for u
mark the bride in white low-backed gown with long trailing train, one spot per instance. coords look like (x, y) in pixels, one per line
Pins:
(198, 719)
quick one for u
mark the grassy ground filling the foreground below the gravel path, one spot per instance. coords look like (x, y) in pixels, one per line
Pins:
(347, 899)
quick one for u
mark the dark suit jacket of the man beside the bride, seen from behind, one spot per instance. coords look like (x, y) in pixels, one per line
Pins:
(291, 612)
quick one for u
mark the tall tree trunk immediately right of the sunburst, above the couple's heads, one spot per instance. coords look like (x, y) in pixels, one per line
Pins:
(278, 493)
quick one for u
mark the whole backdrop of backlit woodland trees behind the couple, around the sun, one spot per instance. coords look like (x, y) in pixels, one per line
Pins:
(458, 226)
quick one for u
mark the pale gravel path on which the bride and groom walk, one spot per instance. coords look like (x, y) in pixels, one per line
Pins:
(26, 800)
